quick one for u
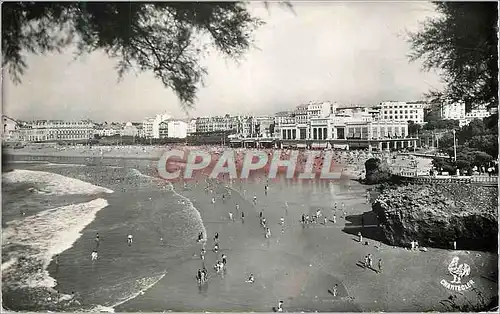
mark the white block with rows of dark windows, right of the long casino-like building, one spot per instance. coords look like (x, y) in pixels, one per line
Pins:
(402, 111)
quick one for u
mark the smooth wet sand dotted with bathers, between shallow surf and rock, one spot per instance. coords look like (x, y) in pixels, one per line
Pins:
(301, 264)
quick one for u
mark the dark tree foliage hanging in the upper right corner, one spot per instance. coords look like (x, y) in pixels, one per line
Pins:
(462, 42)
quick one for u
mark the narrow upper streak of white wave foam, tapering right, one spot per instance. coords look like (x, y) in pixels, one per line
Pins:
(53, 183)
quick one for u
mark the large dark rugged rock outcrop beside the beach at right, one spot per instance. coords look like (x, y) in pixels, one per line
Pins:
(439, 214)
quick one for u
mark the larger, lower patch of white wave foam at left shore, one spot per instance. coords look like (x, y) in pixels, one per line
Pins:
(45, 234)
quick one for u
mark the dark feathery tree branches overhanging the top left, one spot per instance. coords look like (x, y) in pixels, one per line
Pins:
(161, 37)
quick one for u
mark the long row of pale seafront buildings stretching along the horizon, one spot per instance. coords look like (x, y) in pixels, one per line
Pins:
(318, 121)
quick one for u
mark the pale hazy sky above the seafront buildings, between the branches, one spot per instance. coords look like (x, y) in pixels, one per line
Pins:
(349, 53)
